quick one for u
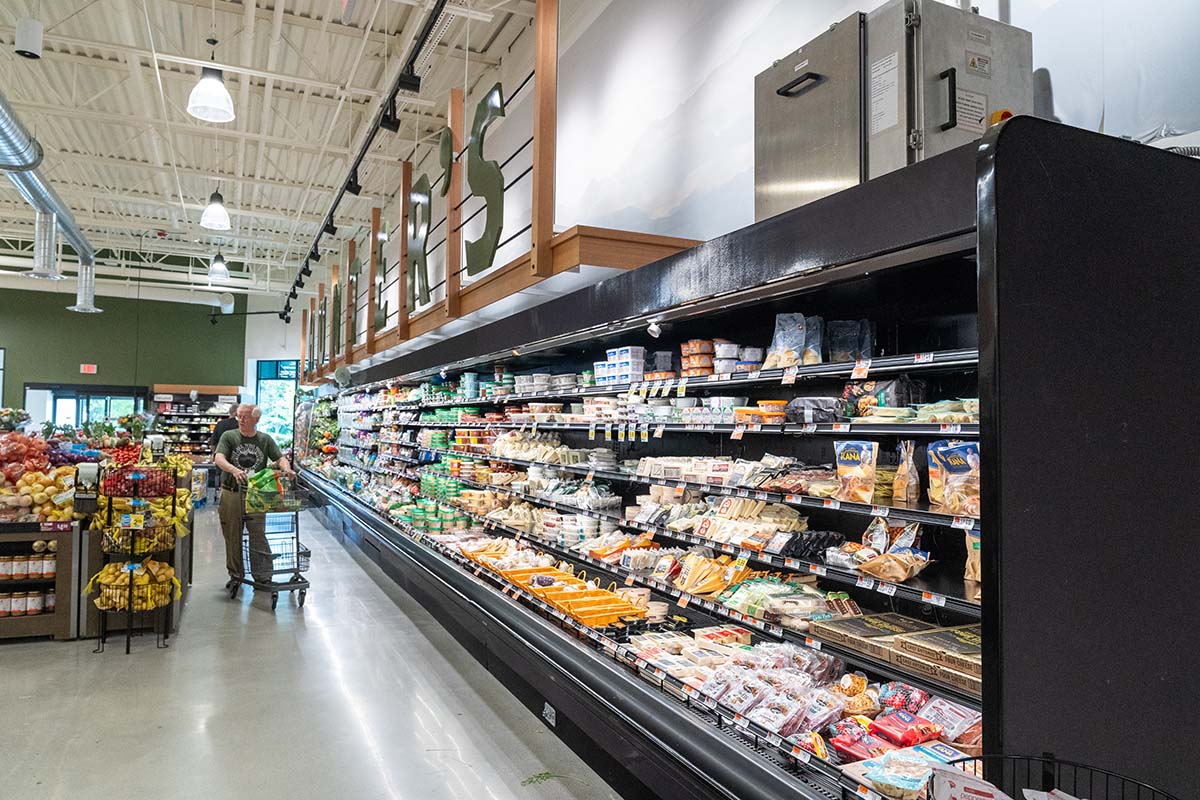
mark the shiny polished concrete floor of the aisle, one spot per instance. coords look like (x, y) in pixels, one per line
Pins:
(358, 695)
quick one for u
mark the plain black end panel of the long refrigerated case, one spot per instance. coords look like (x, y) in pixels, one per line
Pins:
(1089, 291)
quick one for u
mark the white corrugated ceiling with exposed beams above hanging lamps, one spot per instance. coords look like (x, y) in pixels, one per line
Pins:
(107, 103)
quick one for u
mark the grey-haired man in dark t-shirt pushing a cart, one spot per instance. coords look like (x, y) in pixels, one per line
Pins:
(241, 454)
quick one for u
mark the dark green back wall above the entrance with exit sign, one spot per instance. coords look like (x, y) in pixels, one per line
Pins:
(134, 344)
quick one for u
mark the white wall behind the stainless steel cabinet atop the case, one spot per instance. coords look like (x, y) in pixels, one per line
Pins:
(656, 103)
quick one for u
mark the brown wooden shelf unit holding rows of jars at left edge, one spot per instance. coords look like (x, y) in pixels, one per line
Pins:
(20, 537)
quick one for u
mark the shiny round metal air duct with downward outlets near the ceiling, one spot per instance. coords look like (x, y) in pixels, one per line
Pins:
(20, 158)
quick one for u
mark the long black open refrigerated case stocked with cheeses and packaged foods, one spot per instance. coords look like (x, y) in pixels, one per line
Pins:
(989, 273)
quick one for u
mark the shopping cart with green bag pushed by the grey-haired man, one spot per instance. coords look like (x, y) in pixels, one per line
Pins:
(271, 542)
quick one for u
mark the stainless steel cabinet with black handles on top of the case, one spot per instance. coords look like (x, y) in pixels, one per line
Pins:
(879, 92)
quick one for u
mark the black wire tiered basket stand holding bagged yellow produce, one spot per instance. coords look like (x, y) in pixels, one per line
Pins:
(137, 604)
